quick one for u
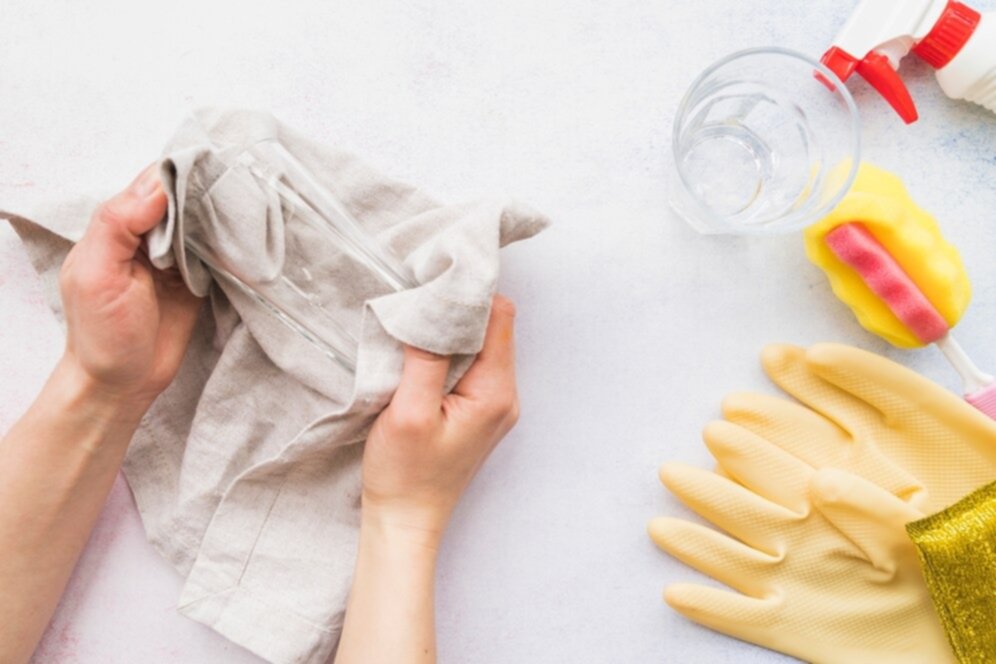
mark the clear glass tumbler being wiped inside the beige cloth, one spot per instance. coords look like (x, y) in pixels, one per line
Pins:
(321, 245)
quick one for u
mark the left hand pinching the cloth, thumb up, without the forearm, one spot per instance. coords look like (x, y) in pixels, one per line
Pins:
(128, 323)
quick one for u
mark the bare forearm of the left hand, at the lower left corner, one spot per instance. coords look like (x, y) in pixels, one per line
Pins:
(57, 465)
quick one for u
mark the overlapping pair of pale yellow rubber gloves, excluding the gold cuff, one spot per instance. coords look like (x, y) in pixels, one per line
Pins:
(813, 496)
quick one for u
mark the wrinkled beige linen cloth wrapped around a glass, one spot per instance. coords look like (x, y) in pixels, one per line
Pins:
(246, 470)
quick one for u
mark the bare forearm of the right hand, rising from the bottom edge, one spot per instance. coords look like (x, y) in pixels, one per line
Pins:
(390, 618)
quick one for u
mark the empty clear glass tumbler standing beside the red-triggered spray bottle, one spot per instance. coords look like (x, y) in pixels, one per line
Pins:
(765, 141)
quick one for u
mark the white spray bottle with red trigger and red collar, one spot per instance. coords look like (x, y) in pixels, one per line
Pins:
(959, 42)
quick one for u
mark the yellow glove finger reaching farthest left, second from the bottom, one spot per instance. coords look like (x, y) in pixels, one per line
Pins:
(728, 561)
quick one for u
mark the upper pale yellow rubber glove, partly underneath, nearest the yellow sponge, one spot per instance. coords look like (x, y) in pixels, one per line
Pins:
(872, 407)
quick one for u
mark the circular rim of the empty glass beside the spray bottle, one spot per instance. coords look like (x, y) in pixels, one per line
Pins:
(793, 220)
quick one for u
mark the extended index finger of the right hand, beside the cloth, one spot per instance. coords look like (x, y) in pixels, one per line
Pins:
(493, 373)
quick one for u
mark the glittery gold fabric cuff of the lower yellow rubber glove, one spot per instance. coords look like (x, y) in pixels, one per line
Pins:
(957, 549)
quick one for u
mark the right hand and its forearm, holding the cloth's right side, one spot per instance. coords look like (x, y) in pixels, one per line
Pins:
(421, 453)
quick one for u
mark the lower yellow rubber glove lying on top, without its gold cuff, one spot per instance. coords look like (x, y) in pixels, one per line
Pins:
(820, 559)
